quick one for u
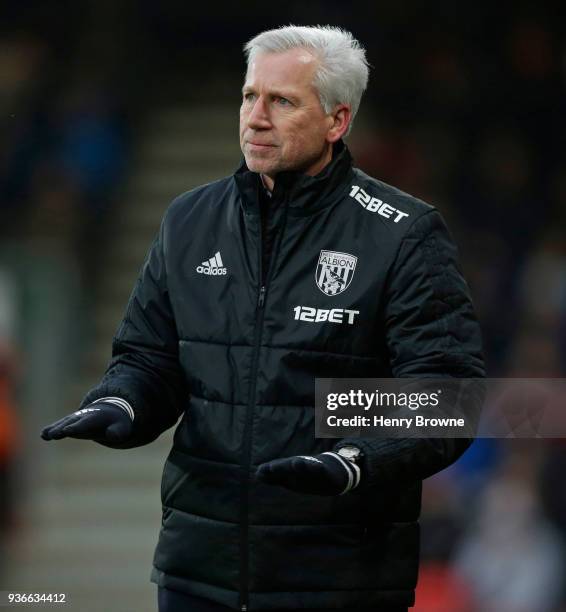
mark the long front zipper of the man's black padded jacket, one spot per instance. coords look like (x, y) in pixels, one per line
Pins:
(244, 561)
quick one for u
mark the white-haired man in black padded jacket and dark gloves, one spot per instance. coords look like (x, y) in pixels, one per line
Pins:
(298, 266)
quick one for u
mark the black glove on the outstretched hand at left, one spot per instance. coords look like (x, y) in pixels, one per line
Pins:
(101, 422)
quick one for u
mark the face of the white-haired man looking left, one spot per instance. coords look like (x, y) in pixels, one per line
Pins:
(282, 123)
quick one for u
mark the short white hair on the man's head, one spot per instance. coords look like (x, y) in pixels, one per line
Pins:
(342, 74)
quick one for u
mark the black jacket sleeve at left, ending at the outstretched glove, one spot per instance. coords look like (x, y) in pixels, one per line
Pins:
(144, 369)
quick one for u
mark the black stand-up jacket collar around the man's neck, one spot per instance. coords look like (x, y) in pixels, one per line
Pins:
(305, 194)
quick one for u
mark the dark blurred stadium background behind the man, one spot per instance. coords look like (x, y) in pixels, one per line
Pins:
(110, 109)
